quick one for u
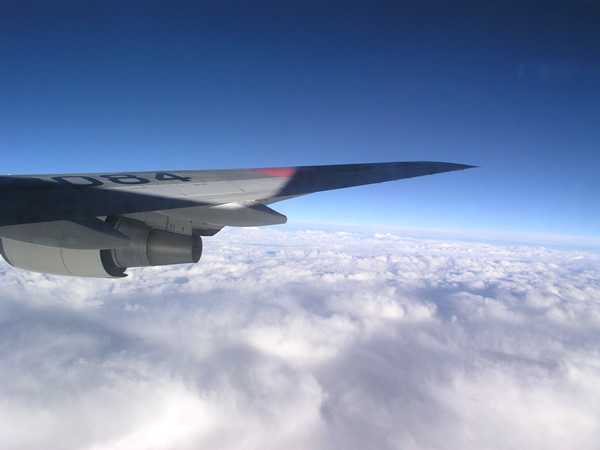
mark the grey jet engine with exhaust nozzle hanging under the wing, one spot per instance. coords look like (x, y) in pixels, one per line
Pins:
(148, 247)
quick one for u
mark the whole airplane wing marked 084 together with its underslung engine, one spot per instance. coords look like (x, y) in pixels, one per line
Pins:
(100, 224)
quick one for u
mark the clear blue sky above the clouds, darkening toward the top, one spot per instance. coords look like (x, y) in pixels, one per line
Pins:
(513, 87)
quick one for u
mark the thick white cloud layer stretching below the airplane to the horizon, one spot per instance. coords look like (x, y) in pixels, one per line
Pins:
(309, 340)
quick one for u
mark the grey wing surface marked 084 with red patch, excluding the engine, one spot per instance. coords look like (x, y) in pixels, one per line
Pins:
(46, 198)
